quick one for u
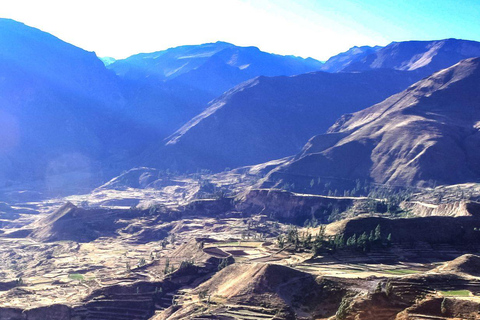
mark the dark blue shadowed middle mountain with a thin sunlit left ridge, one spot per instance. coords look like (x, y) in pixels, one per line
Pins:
(271, 117)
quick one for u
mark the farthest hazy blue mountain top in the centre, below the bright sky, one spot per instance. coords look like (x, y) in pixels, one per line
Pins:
(211, 67)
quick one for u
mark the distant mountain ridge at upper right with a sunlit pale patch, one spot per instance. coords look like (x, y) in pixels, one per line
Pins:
(424, 56)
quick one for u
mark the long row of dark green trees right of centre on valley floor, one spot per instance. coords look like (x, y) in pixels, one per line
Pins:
(321, 243)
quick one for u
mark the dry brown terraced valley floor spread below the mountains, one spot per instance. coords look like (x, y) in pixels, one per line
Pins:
(92, 257)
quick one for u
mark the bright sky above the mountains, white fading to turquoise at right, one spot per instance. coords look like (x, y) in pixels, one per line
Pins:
(307, 28)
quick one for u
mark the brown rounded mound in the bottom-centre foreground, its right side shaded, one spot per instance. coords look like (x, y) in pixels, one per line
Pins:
(260, 291)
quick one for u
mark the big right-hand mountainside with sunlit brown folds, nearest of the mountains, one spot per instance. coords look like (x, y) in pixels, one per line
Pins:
(426, 134)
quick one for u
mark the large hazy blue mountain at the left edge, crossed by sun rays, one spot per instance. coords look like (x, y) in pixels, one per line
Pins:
(59, 111)
